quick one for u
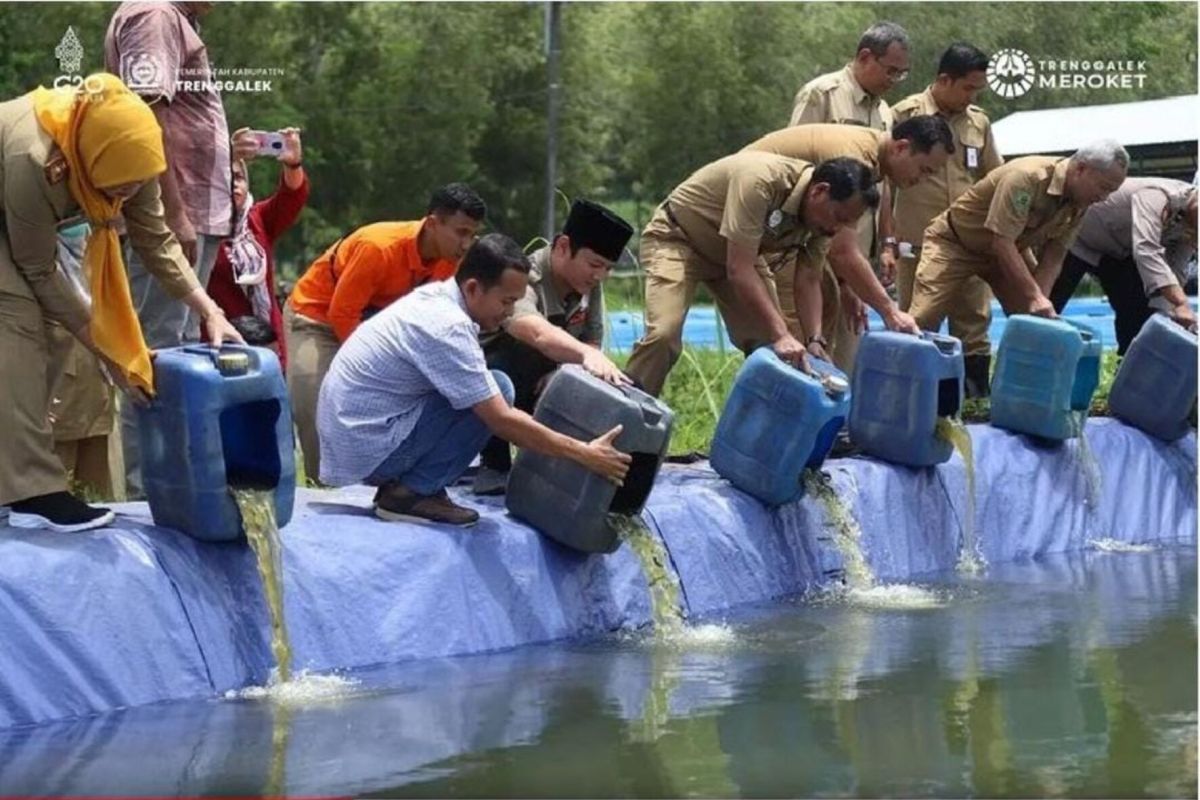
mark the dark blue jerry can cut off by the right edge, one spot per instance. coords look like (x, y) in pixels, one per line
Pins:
(1156, 386)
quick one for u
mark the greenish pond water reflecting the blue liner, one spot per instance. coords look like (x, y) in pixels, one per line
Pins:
(1073, 676)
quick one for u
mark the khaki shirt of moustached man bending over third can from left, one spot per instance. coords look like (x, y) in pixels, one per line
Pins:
(749, 199)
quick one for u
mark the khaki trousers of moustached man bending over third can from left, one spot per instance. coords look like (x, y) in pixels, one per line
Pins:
(674, 273)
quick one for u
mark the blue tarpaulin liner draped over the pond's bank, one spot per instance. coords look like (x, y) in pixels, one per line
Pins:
(136, 615)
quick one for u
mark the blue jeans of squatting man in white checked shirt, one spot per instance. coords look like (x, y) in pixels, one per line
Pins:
(441, 448)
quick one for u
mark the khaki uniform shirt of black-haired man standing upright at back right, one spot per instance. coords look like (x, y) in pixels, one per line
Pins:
(975, 158)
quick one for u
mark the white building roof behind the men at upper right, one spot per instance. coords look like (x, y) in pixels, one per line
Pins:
(1061, 130)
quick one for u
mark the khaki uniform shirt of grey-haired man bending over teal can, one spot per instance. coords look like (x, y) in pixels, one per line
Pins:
(1023, 200)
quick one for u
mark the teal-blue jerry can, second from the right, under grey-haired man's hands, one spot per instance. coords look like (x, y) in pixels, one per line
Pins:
(1046, 371)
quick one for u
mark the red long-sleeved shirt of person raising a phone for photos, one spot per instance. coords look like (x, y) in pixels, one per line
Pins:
(268, 221)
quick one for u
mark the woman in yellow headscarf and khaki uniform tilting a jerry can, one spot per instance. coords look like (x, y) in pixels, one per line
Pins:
(94, 154)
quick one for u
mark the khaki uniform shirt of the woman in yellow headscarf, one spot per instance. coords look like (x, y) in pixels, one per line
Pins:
(35, 199)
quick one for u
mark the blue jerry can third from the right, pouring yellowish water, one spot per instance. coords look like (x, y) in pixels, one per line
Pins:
(902, 386)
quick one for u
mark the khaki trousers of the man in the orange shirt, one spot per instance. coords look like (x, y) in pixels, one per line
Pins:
(311, 350)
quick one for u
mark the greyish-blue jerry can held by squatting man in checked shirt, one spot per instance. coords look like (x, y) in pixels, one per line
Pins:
(560, 497)
